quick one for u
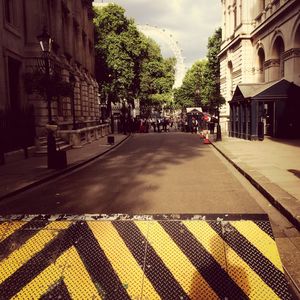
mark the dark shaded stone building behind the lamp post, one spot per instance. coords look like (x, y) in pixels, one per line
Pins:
(70, 25)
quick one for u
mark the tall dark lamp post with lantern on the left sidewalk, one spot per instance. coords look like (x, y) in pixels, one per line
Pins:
(45, 41)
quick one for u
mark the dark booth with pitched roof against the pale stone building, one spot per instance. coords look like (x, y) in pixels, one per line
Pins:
(268, 109)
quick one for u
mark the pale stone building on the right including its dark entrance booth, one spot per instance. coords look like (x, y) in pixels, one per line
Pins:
(260, 47)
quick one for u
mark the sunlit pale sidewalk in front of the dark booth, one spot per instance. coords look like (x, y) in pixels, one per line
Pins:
(272, 166)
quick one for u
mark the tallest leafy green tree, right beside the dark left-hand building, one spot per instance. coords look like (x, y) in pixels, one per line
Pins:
(117, 47)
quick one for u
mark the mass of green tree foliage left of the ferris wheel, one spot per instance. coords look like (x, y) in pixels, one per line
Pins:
(128, 64)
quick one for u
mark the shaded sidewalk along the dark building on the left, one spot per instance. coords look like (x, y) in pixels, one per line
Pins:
(21, 174)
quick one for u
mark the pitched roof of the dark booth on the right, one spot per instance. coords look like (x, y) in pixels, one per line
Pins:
(271, 90)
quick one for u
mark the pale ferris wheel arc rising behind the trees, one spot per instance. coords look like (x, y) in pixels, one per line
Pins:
(167, 36)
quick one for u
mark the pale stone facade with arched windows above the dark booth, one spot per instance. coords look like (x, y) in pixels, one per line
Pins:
(258, 32)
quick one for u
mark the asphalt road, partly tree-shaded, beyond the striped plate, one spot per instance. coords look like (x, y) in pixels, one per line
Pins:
(149, 173)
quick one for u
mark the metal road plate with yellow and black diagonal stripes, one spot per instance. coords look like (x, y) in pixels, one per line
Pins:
(140, 257)
